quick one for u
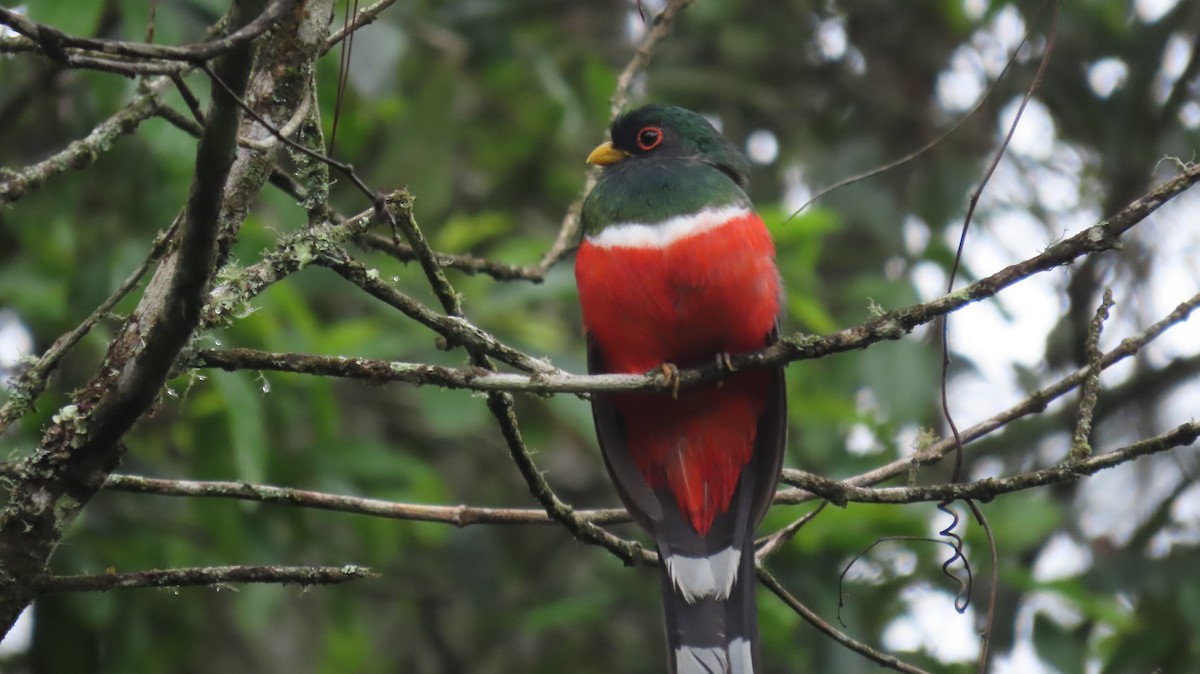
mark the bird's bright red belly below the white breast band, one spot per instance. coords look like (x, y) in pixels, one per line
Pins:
(717, 292)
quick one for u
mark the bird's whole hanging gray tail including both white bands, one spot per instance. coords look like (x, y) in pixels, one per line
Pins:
(712, 618)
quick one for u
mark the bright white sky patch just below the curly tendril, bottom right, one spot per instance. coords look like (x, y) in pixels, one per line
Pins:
(933, 625)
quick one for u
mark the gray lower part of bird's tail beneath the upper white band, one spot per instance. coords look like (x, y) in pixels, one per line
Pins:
(715, 636)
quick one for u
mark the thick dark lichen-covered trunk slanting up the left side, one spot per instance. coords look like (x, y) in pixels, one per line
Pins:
(82, 447)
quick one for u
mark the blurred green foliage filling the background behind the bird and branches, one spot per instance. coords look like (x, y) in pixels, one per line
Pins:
(485, 112)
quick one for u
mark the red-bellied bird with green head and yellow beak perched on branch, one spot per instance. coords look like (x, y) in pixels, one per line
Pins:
(676, 270)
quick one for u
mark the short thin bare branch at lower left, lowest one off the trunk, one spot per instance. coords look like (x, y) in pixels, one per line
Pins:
(219, 576)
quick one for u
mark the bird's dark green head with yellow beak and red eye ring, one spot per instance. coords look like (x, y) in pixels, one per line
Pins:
(663, 135)
